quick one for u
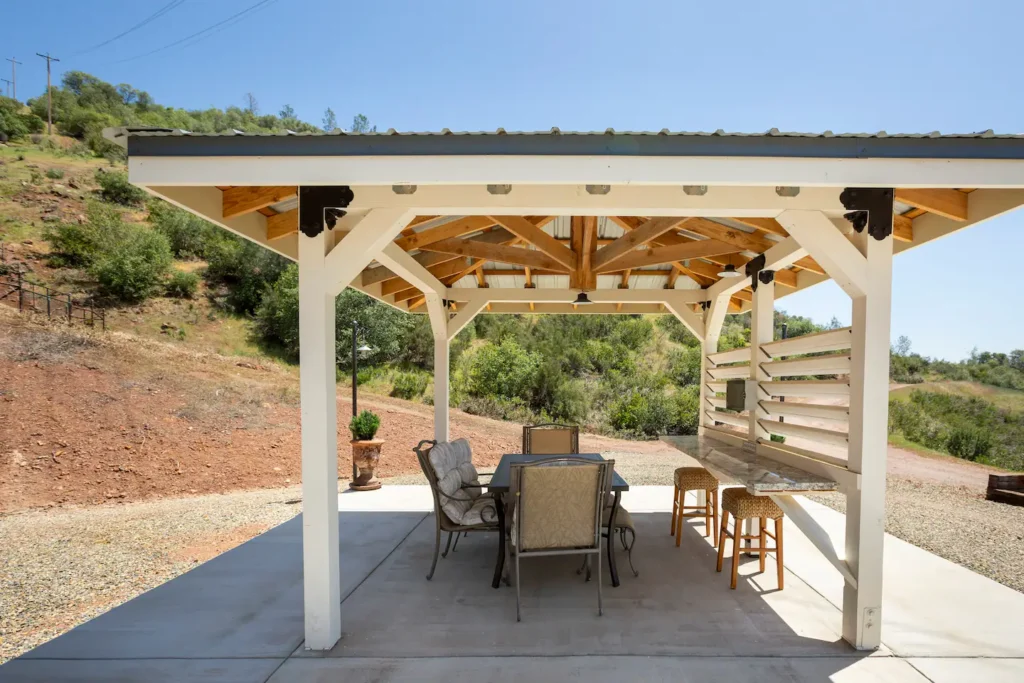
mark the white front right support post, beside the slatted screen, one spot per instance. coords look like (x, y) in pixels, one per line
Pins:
(866, 510)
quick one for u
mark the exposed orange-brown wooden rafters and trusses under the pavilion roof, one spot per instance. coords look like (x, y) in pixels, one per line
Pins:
(697, 248)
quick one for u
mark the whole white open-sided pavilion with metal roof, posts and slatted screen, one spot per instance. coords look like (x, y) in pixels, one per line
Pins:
(456, 225)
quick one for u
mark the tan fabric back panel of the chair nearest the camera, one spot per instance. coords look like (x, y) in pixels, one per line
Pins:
(558, 507)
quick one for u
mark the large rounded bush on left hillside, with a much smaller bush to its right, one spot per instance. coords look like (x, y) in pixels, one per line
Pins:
(133, 264)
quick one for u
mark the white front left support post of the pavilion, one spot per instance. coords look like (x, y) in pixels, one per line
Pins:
(321, 574)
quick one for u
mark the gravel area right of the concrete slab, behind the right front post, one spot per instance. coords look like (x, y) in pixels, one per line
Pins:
(955, 523)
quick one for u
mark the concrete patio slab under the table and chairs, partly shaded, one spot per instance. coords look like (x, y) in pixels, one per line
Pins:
(239, 618)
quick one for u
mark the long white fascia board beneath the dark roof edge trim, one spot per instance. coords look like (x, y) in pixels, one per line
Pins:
(615, 170)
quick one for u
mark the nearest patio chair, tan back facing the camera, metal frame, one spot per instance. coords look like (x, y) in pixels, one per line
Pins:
(560, 509)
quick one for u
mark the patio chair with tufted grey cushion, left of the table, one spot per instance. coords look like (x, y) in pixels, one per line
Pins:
(460, 505)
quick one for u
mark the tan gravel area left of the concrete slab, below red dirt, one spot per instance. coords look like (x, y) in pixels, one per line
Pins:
(64, 567)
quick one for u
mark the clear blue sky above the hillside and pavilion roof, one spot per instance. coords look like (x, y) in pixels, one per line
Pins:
(897, 66)
